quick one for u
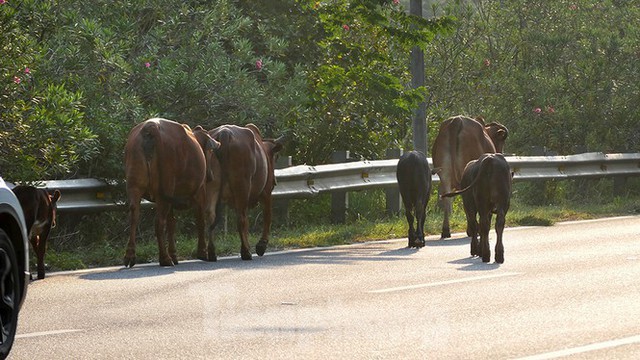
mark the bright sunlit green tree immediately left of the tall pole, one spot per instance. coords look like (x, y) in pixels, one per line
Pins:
(359, 94)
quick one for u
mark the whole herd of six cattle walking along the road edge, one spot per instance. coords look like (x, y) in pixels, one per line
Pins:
(177, 167)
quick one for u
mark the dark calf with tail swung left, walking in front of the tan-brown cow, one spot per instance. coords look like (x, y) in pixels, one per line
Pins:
(486, 189)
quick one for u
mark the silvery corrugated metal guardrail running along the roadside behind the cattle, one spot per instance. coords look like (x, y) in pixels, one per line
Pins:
(303, 181)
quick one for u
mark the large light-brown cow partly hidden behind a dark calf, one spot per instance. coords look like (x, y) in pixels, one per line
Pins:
(460, 140)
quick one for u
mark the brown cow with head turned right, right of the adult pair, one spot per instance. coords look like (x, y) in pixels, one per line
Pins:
(247, 169)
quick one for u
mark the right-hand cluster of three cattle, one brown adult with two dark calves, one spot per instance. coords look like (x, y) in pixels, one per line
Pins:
(467, 157)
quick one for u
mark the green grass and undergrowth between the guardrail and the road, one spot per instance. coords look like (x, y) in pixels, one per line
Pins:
(87, 245)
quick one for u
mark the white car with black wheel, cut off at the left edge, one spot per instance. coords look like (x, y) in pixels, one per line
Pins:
(14, 266)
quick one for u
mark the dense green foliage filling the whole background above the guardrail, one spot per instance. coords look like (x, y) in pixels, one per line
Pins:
(76, 76)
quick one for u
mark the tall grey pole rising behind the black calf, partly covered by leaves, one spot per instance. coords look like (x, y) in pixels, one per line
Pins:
(417, 79)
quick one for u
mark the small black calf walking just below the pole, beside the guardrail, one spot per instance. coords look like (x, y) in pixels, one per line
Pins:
(414, 182)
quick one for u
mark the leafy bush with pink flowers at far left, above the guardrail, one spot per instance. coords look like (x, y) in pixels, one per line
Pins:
(43, 132)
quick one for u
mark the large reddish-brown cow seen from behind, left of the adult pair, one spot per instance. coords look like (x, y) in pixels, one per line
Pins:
(169, 164)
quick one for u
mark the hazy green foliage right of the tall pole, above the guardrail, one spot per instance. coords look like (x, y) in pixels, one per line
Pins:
(561, 75)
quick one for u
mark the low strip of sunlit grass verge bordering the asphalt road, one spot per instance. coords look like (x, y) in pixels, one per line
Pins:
(105, 246)
